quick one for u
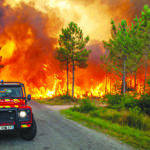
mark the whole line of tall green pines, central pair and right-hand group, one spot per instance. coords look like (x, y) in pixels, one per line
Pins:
(128, 47)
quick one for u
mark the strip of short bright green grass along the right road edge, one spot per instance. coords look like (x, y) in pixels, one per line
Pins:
(135, 137)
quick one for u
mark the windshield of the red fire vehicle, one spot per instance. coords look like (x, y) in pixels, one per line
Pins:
(10, 92)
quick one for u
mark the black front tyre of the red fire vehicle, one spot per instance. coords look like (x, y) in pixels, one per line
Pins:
(29, 133)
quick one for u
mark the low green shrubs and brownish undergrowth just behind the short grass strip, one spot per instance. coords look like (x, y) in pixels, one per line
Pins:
(131, 116)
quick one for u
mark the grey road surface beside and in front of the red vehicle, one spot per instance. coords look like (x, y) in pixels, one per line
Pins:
(57, 133)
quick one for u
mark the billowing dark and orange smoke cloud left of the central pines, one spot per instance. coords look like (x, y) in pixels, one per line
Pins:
(26, 43)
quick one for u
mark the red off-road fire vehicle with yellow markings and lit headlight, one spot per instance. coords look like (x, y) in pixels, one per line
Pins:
(15, 114)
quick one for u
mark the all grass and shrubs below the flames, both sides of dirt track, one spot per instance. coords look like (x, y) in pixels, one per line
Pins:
(122, 116)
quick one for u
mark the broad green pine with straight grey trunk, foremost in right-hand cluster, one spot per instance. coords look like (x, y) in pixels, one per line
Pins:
(124, 48)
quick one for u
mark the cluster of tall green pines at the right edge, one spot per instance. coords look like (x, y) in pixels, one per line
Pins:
(129, 48)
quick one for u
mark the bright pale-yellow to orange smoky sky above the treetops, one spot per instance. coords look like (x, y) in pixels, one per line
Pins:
(92, 15)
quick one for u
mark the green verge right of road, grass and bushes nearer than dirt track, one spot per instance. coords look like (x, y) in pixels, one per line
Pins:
(122, 119)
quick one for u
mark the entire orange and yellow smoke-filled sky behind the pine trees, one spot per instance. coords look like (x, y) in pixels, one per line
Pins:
(29, 30)
